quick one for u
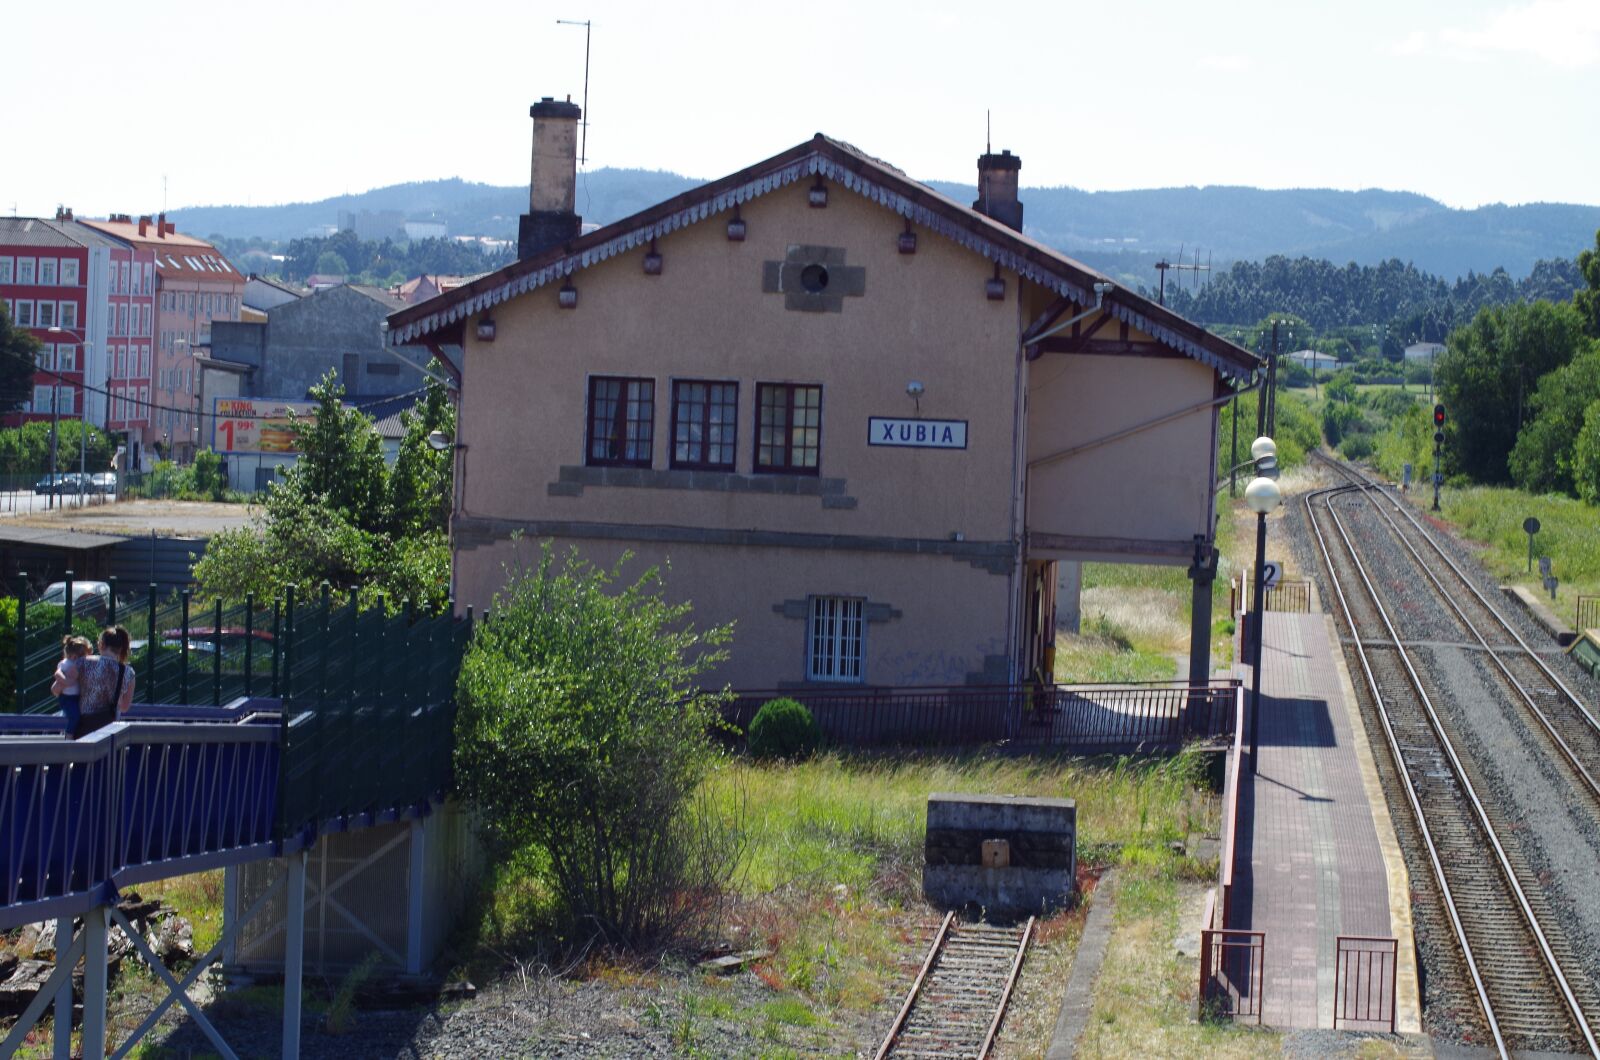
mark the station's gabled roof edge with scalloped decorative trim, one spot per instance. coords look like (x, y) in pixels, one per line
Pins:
(842, 164)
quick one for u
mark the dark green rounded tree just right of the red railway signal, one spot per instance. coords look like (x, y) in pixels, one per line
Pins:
(1490, 369)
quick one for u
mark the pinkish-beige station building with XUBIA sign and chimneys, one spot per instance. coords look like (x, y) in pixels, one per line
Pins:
(855, 417)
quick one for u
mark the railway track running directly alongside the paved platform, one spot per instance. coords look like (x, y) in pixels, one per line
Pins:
(1518, 970)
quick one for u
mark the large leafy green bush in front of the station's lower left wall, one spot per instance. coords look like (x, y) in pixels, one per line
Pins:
(582, 742)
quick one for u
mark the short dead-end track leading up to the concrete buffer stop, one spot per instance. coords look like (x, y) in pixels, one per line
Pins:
(959, 998)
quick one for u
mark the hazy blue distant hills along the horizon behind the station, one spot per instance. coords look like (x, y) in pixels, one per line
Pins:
(1124, 233)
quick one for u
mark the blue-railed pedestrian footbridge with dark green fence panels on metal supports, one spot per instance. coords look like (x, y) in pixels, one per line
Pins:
(351, 731)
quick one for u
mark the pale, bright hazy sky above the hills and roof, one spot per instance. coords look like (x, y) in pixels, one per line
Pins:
(1468, 102)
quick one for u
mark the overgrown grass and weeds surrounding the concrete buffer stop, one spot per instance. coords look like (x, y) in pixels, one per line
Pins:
(831, 883)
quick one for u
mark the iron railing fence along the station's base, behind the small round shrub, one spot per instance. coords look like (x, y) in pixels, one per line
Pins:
(1087, 718)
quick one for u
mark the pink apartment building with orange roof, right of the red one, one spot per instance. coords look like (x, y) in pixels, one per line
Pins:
(194, 286)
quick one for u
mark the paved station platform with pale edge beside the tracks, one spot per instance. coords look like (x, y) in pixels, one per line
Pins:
(1316, 856)
